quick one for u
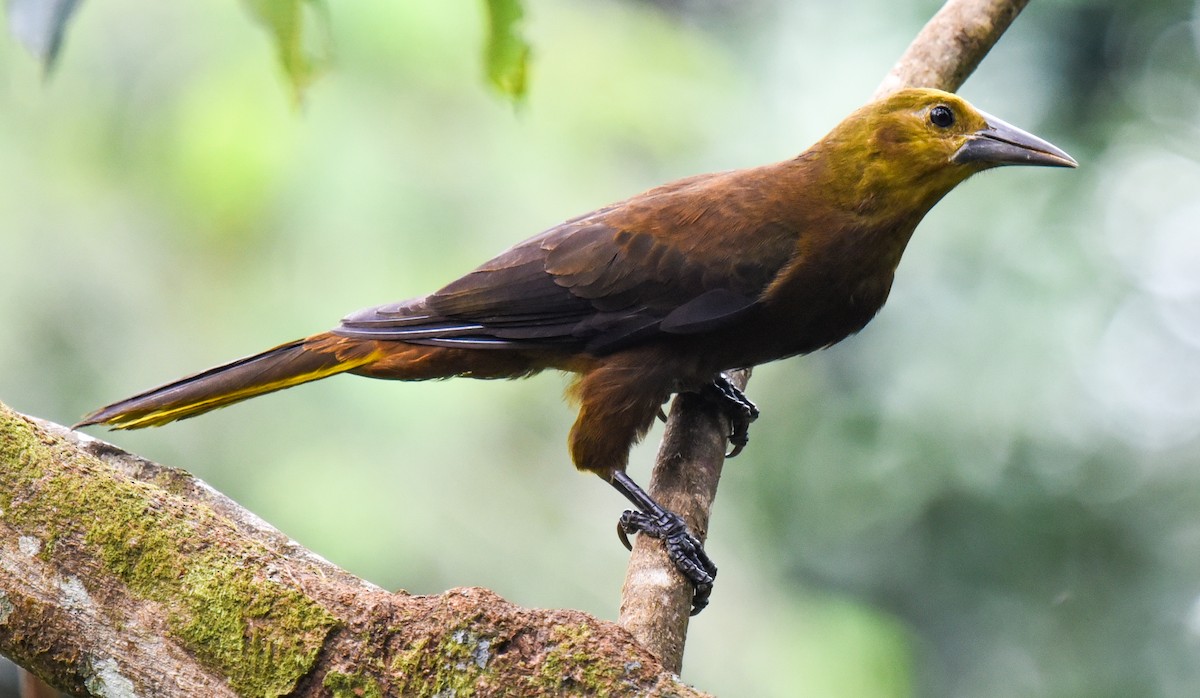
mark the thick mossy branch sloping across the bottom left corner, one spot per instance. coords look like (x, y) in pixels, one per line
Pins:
(122, 577)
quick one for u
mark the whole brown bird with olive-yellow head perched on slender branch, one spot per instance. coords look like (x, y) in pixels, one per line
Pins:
(661, 293)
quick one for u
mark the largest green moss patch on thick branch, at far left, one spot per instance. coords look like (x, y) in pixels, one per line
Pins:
(220, 603)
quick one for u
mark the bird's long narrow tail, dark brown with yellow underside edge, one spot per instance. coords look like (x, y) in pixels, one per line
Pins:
(287, 365)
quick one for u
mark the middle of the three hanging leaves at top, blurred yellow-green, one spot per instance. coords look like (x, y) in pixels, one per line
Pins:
(301, 29)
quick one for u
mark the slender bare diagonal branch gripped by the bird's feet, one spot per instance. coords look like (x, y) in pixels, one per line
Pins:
(656, 597)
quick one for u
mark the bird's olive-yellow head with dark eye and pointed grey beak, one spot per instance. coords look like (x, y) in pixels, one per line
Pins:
(922, 143)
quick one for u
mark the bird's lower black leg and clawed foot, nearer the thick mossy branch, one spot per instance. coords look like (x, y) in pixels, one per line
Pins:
(683, 547)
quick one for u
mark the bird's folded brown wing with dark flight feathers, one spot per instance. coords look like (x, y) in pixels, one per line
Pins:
(674, 261)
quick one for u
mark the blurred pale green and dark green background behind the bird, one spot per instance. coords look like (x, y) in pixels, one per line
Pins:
(992, 491)
